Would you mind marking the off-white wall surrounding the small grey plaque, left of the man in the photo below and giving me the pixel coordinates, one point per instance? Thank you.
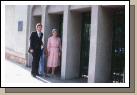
(15, 40)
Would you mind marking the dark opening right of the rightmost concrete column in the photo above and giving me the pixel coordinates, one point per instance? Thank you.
(118, 46)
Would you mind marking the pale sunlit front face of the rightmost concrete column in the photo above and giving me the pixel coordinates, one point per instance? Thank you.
(93, 44)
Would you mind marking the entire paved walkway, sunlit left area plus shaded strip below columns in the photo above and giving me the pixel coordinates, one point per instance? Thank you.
(19, 73)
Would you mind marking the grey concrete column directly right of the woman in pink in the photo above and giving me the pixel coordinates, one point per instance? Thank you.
(71, 44)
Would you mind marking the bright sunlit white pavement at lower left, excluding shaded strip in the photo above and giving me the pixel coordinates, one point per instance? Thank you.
(16, 74)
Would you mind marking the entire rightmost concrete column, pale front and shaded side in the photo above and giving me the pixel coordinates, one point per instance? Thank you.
(100, 46)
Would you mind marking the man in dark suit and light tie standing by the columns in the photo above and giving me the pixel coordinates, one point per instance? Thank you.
(35, 47)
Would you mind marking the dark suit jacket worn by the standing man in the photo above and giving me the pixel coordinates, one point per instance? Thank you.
(35, 41)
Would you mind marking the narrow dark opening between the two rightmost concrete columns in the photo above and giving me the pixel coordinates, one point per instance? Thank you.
(85, 41)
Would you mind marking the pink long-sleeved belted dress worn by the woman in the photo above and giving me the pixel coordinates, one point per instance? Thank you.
(54, 48)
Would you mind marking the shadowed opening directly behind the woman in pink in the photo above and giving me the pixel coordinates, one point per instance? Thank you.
(55, 20)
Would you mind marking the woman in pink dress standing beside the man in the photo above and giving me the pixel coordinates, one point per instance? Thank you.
(54, 51)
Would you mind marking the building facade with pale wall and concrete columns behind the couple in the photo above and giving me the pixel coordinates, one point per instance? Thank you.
(92, 37)
